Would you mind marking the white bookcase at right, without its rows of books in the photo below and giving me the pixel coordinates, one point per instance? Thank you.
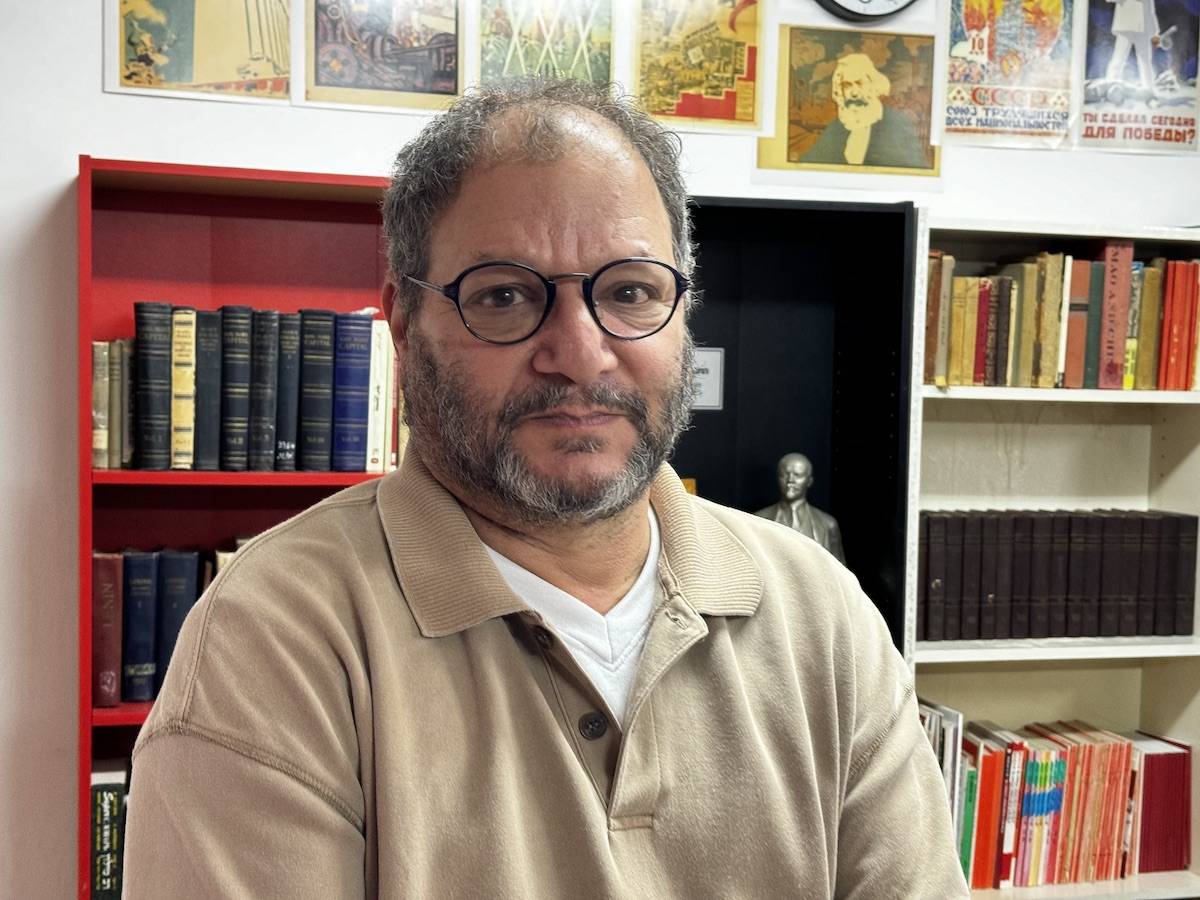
(1009, 448)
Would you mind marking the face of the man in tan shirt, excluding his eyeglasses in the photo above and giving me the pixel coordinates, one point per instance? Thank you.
(572, 424)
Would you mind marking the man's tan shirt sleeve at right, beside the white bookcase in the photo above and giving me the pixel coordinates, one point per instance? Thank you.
(895, 836)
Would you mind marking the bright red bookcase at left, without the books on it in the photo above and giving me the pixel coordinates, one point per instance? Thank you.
(200, 237)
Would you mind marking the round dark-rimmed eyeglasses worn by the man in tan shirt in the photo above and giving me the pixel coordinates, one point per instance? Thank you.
(507, 303)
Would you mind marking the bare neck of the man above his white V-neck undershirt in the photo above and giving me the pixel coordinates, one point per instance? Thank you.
(597, 563)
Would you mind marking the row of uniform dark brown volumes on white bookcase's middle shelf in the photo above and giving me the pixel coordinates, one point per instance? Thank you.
(1017, 574)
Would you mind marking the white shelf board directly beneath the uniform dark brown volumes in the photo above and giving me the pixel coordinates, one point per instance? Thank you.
(931, 653)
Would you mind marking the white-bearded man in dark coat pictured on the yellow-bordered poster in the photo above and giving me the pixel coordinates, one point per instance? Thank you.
(866, 133)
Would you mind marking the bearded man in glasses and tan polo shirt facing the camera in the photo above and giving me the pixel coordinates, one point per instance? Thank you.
(530, 665)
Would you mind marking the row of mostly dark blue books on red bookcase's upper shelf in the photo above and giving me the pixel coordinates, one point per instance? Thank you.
(242, 389)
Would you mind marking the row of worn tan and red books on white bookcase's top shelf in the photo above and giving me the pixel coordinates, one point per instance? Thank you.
(1060, 322)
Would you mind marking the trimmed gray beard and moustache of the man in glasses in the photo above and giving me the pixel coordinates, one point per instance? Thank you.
(460, 443)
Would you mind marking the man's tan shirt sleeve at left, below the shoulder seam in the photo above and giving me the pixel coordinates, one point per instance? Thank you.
(206, 820)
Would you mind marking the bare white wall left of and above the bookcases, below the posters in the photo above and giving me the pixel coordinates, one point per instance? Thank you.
(52, 110)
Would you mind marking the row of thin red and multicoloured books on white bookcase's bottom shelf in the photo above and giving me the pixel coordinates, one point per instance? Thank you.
(1061, 803)
